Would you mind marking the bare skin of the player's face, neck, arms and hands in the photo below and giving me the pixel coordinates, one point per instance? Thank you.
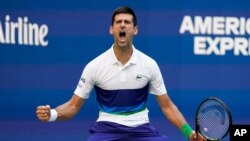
(123, 51)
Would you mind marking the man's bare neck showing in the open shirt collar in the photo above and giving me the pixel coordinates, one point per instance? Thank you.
(123, 54)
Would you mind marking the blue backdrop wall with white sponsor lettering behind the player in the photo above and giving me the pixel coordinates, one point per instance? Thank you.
(44, 46)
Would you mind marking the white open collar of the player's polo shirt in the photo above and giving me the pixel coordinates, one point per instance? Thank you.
(132, 60)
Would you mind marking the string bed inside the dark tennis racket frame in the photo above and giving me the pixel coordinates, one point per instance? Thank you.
(213, 120)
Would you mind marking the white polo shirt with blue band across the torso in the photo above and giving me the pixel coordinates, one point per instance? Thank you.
(122, 90)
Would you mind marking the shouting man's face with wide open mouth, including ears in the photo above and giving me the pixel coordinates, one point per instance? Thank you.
(123, 30)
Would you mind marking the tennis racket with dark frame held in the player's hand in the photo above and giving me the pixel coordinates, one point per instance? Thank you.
(213, 119)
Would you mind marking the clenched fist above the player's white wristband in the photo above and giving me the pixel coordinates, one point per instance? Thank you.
(43, 113)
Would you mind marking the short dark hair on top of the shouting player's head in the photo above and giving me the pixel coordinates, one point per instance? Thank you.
(124, 10)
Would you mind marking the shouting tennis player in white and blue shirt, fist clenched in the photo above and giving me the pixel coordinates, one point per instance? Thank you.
(122, 78)
